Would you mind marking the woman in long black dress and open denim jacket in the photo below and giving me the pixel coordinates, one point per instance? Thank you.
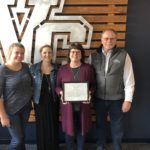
(45, 101)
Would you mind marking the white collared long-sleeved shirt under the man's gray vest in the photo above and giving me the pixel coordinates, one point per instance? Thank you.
(128, 75)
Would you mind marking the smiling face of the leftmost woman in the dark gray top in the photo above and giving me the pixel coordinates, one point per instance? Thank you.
(16, 54)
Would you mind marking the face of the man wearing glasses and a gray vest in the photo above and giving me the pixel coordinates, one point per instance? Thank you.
(108, 40)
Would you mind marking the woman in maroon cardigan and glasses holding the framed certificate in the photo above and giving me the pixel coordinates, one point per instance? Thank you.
(73, 80)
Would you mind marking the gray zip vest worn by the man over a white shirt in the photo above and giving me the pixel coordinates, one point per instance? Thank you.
(109, 86)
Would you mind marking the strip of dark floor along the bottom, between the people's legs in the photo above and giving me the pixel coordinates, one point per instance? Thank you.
(126, 146)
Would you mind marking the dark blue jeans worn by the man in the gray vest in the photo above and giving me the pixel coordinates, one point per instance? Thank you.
(114, 108)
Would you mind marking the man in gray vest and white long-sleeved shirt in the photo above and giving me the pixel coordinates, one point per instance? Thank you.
(115, 87)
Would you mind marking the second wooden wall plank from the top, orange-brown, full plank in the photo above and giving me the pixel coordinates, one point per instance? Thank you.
(94, 10)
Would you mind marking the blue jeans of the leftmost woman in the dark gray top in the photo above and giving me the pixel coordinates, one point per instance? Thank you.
(17, 129)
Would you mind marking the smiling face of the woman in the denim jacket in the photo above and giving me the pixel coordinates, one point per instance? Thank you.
(46, 54)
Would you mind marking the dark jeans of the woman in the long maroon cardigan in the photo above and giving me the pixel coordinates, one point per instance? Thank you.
(80, 139)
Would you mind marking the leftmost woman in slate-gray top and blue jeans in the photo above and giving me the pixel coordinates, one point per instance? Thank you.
(15, 95)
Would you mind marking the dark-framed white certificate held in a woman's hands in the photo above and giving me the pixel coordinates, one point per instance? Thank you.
(75, 91)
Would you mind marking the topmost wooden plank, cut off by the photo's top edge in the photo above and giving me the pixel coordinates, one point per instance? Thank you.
(96, 2)
